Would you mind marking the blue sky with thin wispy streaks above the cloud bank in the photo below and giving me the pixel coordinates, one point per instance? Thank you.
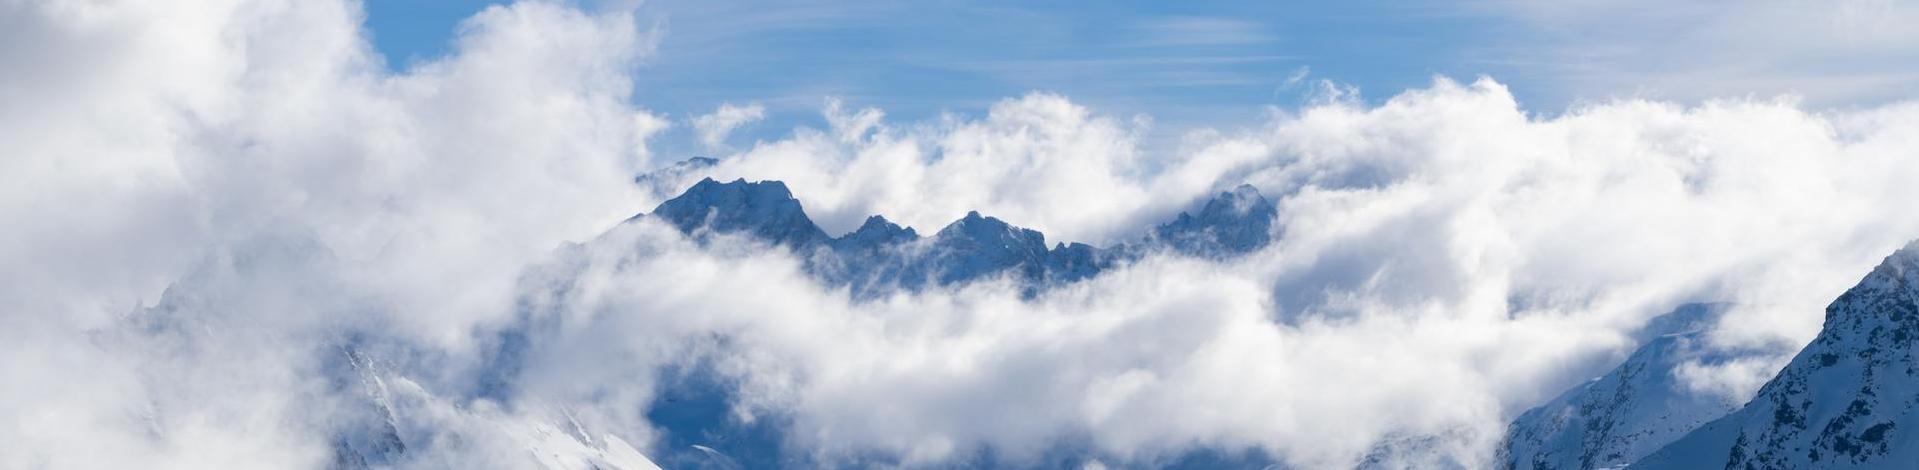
(1214, 64)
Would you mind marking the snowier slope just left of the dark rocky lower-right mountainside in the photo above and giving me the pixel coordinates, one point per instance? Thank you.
(1634, 410)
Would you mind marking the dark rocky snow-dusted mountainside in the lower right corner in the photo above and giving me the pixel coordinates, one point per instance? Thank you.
(1845, 402)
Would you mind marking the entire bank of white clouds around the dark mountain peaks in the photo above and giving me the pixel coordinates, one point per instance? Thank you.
(210, 202)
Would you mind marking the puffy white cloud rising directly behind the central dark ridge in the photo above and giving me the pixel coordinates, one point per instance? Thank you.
(1039, 162)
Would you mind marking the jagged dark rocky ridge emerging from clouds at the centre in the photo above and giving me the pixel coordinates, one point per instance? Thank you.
(884, 256)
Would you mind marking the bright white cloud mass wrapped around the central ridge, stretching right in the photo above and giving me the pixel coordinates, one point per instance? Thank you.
(1448, 262)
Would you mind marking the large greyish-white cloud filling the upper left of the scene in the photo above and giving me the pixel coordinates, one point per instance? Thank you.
(156, 141)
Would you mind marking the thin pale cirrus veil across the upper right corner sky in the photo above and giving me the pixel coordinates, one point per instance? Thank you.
(1851, 53)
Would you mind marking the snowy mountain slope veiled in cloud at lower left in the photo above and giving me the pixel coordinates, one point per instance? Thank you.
(366, 408)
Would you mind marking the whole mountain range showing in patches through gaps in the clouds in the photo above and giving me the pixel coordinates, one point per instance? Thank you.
(1845, 402)
